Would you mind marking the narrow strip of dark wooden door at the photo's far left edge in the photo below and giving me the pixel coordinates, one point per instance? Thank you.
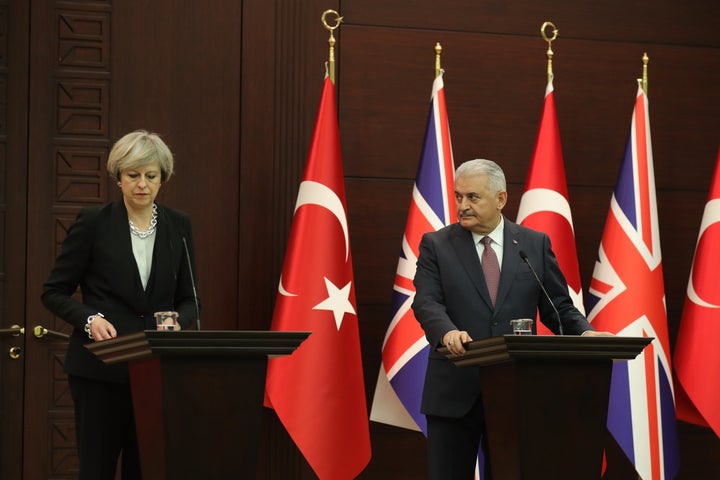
(14, 44)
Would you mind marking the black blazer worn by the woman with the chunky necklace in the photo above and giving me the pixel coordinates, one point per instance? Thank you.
(97, 256)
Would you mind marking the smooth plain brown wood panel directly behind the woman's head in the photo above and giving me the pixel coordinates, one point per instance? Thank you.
(176, 71)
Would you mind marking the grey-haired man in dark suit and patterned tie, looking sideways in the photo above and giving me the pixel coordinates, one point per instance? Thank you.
(455, 303)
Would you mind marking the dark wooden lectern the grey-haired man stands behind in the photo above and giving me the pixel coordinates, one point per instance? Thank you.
(546, 401)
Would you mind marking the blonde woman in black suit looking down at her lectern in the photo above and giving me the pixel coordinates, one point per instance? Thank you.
(128, 257)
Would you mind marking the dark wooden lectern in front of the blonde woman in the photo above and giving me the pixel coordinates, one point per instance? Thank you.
(198, 397)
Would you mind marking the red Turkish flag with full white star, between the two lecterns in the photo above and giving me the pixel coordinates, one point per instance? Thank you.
(318, 392)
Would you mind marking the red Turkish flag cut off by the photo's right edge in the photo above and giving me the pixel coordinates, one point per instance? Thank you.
(697, 358)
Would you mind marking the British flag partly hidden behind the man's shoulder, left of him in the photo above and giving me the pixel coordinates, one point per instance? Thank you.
(405, 349)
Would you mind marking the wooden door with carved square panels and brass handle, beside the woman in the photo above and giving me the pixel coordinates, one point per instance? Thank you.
(68, 141)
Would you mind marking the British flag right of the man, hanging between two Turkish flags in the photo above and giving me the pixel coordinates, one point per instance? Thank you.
(627, 297)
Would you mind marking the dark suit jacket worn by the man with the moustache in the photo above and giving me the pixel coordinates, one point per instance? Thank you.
(451, 293)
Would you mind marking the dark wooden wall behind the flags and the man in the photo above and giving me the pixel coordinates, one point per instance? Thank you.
(495, 78)
